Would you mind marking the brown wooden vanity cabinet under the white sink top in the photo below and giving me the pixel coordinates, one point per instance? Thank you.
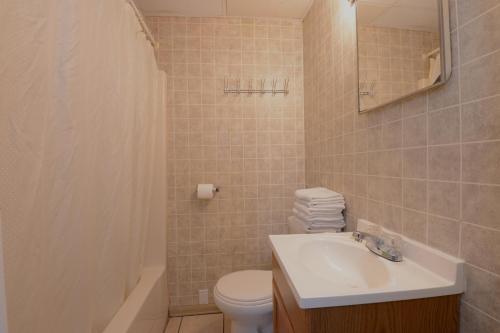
(427, 315)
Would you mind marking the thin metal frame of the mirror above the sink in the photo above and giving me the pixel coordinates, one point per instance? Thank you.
(446, 62)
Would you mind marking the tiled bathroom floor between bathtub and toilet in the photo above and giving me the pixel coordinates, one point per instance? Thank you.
(211, 323)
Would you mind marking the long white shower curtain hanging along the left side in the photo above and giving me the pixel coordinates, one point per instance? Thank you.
(81, 128)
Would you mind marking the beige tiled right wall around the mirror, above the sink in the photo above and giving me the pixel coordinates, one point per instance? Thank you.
(428, 167)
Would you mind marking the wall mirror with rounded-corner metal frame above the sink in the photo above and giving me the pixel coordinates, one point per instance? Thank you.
(403, 49)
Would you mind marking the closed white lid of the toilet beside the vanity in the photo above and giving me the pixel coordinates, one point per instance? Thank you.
(246, 286)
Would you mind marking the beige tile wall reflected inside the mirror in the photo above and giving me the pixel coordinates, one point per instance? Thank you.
(390, 62)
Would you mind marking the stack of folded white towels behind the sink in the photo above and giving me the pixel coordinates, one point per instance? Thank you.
(319, 209)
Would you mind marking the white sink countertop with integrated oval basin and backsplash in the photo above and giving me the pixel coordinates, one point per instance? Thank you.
(325, 270)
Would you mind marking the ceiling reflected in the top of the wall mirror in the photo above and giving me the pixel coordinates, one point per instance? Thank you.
(421, 15)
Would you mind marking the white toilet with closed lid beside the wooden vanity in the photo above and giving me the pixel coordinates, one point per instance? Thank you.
(246, 297)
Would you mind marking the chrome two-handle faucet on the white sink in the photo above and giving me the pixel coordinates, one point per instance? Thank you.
(384, 245)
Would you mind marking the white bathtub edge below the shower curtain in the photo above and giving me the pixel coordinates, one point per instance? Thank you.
(146, 308)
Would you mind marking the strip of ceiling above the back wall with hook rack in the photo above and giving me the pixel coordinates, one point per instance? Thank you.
(249, 8)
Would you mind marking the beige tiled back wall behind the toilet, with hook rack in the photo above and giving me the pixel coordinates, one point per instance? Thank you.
(252, 147)
